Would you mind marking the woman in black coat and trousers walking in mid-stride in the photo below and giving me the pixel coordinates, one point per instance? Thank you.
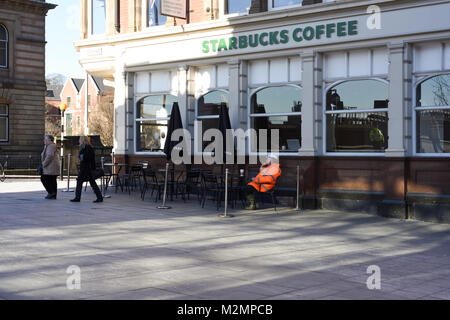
(87, 164)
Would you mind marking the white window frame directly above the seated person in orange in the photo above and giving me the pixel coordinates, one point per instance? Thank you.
(254, 90)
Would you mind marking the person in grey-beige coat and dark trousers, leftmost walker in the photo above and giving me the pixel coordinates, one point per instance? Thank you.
(50, 166)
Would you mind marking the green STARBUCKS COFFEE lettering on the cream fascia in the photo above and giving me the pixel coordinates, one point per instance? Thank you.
(283, 36)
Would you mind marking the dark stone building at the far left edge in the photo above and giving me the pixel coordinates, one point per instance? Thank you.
(22, 76)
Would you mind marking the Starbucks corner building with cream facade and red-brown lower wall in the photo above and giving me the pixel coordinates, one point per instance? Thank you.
(359, 90)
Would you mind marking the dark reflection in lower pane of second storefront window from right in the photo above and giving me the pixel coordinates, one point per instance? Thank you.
(361, 132)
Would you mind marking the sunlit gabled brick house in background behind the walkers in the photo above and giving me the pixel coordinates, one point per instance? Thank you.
(74, 95)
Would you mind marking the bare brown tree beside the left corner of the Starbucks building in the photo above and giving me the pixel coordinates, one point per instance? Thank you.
(101, 120)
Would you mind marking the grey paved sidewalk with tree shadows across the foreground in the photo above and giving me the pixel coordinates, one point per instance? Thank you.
(125, 248)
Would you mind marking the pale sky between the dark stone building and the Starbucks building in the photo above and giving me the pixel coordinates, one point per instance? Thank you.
(61, 29)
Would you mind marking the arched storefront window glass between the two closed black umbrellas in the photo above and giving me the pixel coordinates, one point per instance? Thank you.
(208, 108)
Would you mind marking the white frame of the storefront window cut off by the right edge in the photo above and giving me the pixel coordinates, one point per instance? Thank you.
(417, 80)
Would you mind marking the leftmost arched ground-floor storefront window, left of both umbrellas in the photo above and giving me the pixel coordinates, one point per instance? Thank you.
(152, 117)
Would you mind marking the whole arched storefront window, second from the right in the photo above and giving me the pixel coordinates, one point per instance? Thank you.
(357, 116)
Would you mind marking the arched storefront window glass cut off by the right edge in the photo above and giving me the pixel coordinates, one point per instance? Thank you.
(433, 115)
